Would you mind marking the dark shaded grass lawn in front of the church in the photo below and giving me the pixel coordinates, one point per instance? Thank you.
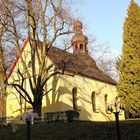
(130, 130)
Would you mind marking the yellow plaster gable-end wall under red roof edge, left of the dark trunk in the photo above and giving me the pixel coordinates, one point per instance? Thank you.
(13, 106)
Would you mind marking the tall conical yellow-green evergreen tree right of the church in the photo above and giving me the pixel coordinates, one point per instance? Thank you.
(129, 84)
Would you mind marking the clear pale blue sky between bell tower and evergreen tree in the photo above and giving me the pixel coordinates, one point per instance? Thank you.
(104, 19)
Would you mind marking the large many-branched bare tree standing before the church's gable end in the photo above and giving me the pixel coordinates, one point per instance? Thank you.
(41, 20)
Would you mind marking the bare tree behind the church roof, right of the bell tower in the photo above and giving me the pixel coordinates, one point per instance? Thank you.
(103, 56)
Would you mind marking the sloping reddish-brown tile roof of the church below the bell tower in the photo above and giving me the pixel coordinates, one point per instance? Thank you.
(81, 64)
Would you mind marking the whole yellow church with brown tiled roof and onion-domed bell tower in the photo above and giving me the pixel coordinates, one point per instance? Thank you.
(82, 87)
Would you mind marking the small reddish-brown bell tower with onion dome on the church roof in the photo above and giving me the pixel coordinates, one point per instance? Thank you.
(79, 41)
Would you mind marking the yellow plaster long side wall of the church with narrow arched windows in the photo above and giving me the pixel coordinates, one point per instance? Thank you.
(63, 97)
